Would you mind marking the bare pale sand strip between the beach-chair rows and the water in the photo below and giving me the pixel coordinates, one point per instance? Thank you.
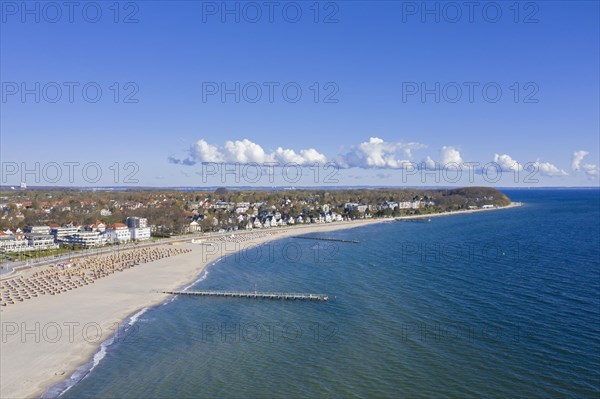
(46, 338)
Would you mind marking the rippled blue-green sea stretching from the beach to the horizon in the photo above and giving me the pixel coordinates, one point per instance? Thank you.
(497, 304)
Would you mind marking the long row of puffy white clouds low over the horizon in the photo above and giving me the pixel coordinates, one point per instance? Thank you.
(375, 153)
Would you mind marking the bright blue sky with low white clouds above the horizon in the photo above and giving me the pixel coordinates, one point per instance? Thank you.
(364, 62)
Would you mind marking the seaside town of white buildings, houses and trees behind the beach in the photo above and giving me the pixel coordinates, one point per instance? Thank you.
(42, 220)
